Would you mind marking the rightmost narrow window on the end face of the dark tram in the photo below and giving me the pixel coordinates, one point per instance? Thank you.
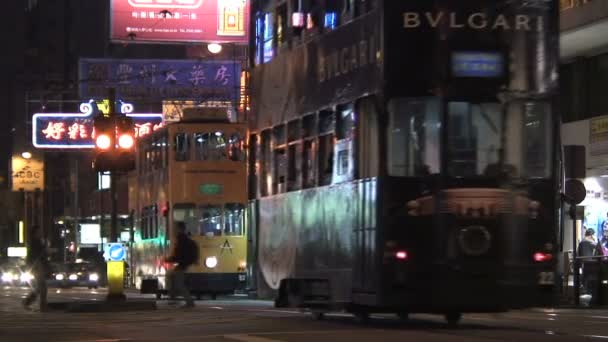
(537, 139)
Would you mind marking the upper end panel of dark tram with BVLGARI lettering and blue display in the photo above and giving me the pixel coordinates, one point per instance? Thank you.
(459, 46)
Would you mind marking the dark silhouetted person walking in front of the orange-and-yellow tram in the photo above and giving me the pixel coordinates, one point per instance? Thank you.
(185, 253)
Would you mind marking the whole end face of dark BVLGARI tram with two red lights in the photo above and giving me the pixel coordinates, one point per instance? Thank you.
(471, 155)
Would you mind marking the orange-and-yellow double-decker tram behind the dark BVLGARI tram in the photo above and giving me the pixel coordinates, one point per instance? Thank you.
(192, 171)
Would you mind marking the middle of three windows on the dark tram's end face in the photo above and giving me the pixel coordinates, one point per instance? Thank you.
(474, 137)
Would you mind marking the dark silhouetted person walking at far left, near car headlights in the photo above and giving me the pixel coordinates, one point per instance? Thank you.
(39, 267)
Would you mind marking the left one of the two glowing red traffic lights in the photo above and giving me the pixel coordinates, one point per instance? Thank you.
(104, 135)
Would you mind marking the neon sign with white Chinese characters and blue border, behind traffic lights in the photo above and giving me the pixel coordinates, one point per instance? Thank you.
(75, 130)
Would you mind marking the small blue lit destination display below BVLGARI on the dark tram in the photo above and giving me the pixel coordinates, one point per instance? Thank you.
(477, 64)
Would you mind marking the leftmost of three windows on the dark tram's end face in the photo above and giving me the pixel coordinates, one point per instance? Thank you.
(413, 146)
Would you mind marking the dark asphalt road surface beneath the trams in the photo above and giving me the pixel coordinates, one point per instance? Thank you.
(239, 319)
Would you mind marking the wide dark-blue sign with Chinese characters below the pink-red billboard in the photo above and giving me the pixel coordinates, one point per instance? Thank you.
(137, 79)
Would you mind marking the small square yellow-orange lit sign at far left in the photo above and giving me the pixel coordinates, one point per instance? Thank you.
(27, 174)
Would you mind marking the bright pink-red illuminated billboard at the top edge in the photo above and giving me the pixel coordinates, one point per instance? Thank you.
(221, 21)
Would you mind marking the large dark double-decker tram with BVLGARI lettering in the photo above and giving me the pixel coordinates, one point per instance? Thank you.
(405, 155)
